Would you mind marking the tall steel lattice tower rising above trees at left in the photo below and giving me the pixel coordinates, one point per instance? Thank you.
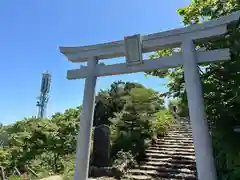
(44, 95)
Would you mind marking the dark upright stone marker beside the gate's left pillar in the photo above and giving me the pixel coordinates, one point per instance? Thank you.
(101, 146)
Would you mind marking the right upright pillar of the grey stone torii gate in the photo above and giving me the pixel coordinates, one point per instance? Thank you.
(201, 137)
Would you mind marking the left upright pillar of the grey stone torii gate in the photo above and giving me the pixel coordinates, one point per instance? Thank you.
(86, 124)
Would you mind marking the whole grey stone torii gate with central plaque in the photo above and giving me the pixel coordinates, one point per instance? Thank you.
(132, 47)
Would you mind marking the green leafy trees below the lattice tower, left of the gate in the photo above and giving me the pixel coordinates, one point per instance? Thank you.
(49, 140)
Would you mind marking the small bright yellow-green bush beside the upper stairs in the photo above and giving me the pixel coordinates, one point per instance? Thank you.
(162, 123)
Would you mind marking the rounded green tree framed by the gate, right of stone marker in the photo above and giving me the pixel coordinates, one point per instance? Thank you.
(131, 127)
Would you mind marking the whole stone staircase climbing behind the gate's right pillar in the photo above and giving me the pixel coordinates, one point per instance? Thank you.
(171, 158)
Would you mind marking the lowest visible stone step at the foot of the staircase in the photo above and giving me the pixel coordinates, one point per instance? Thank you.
(156, 174)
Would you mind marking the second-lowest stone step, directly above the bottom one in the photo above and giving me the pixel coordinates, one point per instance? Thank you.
(168, 165)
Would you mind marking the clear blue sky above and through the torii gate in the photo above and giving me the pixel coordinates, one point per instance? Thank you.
(32, 31)
